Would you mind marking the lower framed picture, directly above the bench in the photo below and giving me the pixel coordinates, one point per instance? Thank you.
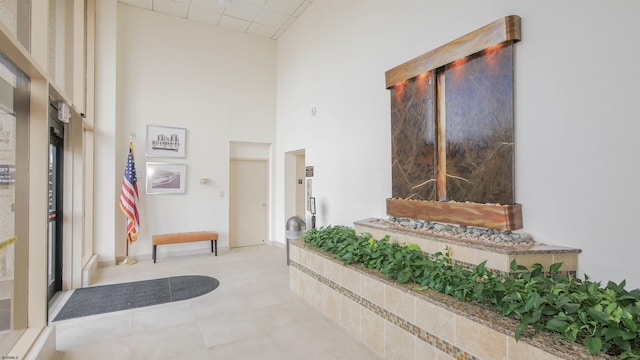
(166, 178)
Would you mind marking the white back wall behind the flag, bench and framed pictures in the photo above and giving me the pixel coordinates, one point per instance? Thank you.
(217, 84)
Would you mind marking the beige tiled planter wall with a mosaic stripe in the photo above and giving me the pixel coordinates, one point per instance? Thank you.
(398, 323)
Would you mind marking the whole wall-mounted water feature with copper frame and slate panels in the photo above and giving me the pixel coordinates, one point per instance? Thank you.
(452, 121)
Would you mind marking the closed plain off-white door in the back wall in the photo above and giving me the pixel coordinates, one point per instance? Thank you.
(248, 202)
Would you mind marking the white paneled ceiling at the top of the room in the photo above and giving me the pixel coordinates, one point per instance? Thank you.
(265, 18)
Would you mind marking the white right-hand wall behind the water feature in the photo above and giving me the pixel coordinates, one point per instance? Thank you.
(577, 166)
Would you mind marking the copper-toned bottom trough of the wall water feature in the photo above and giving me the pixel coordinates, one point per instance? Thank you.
(492, 216)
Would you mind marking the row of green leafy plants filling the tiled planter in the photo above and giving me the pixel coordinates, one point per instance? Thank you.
(603, 319)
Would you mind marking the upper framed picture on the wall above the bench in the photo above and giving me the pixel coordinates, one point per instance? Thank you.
(163, 141)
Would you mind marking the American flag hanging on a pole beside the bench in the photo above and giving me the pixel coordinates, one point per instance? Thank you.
(129, 198)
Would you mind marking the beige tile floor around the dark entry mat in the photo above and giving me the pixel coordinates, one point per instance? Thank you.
(251, 315)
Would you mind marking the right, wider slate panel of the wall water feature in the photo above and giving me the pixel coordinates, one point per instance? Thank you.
(480, 127)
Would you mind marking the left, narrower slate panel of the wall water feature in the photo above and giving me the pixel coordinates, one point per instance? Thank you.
(413, 139)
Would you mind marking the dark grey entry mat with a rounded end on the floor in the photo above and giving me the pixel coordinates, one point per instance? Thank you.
(108, 298)
